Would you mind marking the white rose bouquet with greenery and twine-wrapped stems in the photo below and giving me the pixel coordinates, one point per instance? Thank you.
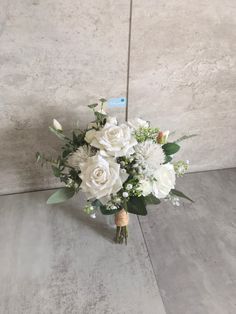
(121, 168)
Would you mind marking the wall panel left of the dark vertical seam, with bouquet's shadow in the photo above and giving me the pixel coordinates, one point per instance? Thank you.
(55, 57)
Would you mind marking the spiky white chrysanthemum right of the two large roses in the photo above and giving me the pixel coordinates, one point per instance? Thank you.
(150, 155)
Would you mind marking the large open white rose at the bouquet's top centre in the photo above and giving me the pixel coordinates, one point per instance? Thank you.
(114, 140)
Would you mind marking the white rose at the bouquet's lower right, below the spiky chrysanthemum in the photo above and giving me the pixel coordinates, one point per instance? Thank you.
(165, 181)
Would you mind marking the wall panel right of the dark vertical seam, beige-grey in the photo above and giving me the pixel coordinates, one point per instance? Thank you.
(183, 74)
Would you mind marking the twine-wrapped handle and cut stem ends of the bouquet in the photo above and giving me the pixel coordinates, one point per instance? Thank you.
(121, 221)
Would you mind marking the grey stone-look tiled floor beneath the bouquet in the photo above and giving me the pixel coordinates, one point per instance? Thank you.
(54, 259)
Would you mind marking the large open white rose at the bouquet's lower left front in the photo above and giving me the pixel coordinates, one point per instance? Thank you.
(100, 177)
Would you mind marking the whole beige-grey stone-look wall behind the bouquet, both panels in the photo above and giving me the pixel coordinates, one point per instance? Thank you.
(57, 56)
